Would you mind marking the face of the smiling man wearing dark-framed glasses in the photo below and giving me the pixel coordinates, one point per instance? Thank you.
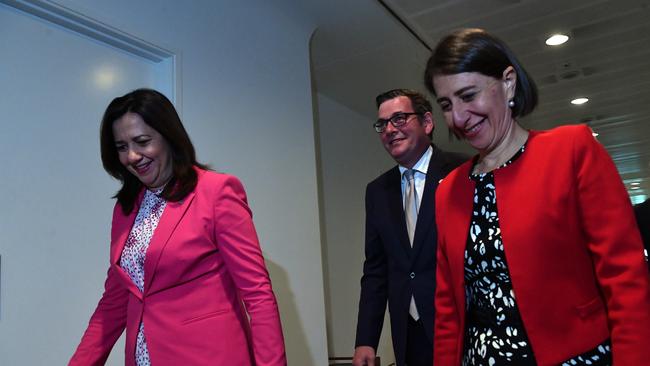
(406, 143)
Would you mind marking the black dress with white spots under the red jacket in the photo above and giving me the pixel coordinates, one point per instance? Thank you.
(494, 331)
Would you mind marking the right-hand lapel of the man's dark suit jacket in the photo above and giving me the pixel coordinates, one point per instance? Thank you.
(426, 221)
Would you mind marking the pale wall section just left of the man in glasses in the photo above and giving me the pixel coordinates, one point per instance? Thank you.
(351, 155)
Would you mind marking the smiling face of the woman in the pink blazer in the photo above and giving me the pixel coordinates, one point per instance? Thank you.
(142, 150)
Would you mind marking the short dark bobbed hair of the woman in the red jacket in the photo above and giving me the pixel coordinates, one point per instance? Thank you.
(475, 50)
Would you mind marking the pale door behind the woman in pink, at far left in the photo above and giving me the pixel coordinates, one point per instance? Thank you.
(56, 205)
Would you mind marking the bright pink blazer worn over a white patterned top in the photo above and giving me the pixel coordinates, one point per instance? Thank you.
(202, 261)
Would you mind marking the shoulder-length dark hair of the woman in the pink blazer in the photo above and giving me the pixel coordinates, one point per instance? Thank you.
(159, 113)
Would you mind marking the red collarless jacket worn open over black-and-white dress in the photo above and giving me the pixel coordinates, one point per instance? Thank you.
(572, 247)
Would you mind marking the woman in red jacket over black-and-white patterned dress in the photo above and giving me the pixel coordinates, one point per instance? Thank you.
(539, 258)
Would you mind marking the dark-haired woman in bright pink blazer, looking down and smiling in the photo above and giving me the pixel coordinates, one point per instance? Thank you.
(186, 270)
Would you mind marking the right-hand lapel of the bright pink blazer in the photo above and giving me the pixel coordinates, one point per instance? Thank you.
(171, 216)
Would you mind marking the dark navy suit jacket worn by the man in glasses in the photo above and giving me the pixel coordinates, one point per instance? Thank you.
(393, 270)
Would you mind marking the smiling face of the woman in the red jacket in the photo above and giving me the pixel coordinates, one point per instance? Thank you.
(475, 106)
